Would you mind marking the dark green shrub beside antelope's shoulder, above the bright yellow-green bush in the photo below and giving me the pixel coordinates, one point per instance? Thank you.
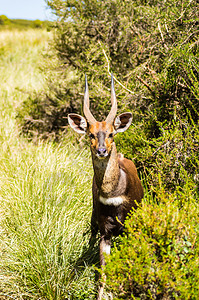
(173, 155)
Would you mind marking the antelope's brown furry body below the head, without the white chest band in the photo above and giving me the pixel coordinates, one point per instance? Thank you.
(116, 177)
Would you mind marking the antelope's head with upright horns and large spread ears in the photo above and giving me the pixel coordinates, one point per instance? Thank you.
(101, 133)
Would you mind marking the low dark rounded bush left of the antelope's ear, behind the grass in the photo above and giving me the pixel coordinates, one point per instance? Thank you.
(43, 115)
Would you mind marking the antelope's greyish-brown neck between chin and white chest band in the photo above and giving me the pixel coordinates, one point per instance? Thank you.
(107, 173)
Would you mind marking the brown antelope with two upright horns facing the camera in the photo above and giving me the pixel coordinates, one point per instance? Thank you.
(116, 187)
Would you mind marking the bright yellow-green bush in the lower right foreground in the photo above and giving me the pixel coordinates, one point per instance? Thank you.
(157, 258)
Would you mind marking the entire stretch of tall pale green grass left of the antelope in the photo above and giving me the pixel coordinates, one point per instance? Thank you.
(45, 192)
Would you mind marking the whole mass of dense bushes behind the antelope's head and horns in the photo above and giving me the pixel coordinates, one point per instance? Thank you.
(152, 49)
